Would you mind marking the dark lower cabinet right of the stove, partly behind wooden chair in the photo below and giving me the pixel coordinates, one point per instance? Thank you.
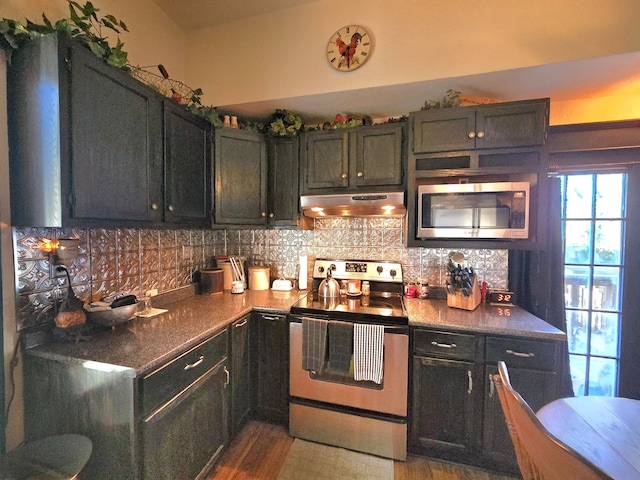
(456, 414)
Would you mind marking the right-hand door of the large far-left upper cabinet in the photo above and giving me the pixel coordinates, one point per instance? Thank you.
(187, 164)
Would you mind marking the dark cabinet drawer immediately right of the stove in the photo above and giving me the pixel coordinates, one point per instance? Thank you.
(444, 344)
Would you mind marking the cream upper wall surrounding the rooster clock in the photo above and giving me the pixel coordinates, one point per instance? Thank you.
(282, 55)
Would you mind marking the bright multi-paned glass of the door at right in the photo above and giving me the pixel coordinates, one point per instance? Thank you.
(593, 217)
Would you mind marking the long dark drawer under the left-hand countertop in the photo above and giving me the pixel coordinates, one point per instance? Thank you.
(162, 384)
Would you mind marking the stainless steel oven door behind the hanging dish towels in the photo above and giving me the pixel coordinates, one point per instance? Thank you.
(389, 398)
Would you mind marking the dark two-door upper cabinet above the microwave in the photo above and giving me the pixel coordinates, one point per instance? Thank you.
(500, 125)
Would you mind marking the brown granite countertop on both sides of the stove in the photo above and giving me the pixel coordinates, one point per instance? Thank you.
(143, 344)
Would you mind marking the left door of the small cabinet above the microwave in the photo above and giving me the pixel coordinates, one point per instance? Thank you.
(443, 130)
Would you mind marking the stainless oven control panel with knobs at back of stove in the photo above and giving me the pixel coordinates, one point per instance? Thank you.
(358, 270)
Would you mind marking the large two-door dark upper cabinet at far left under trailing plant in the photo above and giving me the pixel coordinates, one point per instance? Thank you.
(104, 138)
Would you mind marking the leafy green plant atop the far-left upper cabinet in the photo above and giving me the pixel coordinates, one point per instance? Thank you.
(83, 24)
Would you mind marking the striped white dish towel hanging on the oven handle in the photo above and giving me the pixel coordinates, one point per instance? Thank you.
(368, 345)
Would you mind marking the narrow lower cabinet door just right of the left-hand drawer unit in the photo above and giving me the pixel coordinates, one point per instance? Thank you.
(241, 357)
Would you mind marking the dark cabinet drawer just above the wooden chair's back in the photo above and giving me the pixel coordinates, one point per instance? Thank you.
(523, 353)
